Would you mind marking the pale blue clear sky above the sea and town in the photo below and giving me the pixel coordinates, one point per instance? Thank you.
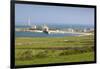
(41, 14)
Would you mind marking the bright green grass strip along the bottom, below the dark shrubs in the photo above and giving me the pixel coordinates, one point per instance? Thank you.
(61, 59)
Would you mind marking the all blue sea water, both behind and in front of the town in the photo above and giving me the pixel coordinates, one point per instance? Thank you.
(53, 26)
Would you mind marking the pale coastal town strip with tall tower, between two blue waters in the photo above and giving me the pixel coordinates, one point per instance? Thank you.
(45, 29)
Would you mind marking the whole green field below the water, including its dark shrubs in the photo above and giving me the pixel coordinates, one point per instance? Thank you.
(45, 50)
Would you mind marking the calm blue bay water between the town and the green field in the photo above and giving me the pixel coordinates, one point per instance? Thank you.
(35, 34)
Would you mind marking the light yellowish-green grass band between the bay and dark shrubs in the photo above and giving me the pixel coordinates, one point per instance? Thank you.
(39, 42)
